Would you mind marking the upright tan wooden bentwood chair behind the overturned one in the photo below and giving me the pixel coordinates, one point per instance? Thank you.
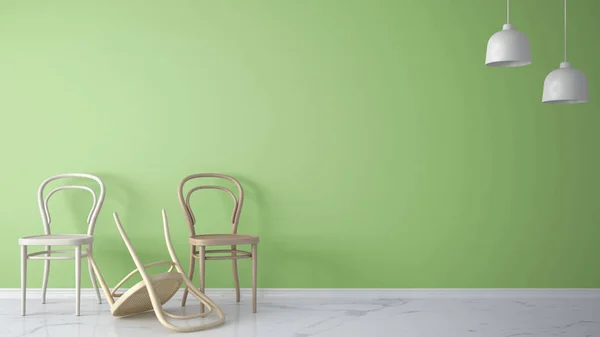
(204, 240)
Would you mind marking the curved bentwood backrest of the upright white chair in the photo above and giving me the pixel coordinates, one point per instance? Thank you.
(96, 205)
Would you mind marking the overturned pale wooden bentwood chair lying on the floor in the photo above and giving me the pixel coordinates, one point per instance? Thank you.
(154, 291)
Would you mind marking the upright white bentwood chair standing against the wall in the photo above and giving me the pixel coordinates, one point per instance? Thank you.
(48, 239)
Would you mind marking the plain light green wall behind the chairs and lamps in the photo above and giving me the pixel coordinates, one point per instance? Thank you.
(375, 147)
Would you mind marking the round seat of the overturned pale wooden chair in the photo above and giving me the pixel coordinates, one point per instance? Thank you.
(137, 300)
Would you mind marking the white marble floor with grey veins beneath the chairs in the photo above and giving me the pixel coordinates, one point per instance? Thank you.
(304, 317)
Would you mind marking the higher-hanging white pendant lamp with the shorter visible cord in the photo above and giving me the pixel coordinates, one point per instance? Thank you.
(508, 47)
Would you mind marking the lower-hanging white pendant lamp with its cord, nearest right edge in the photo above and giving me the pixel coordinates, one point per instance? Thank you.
(565, 85)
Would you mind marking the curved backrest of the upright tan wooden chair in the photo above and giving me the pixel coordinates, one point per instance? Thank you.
(185, 200)
